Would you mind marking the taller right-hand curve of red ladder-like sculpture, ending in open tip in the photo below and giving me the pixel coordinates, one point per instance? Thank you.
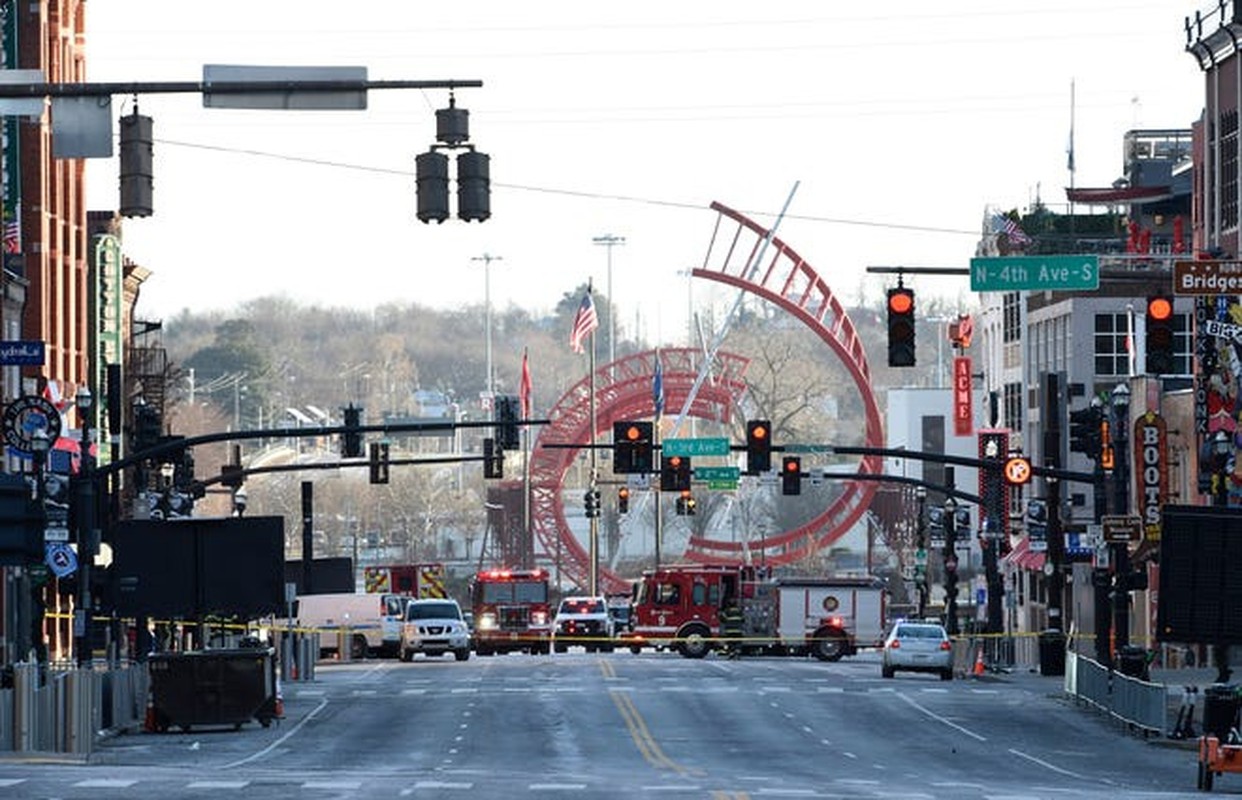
(788, 281)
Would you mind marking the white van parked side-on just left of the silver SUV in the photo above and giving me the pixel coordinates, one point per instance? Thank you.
(371, 623)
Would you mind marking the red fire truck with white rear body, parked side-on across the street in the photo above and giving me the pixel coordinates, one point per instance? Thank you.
(679, 608)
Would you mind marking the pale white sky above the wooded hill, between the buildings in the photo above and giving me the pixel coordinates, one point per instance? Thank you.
(887, 127)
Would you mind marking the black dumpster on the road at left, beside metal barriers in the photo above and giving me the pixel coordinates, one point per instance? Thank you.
(213, 688)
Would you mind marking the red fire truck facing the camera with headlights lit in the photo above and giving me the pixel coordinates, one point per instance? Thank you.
(511, 612)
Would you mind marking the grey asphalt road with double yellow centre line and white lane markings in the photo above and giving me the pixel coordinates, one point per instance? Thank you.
(655, 725)
